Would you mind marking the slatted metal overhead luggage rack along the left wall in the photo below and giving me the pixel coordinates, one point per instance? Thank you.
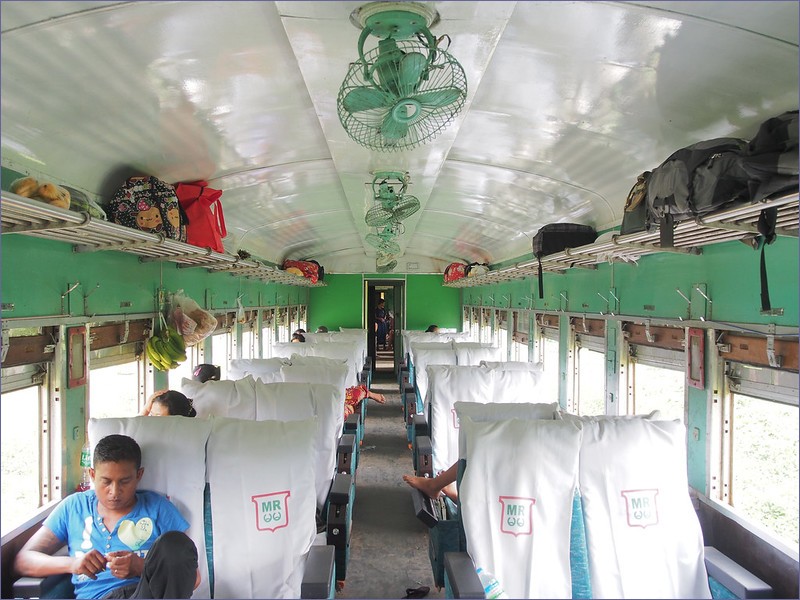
(88, 234)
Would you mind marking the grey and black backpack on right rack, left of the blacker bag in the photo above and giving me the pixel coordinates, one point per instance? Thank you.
(695, 181)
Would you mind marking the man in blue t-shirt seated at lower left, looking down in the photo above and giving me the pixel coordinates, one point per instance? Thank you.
(123, 543)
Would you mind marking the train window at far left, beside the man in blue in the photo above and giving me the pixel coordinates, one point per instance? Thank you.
(24, 450)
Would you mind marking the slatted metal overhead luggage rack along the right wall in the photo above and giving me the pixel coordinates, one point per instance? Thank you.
(690, 237)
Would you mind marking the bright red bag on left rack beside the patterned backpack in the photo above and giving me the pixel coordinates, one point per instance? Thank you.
(206, 226)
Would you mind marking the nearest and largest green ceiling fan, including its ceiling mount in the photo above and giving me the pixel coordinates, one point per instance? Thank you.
(402, 93)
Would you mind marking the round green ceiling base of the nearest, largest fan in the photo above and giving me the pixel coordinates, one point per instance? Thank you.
(397, 20)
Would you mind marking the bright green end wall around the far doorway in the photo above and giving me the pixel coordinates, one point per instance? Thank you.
(339, 304)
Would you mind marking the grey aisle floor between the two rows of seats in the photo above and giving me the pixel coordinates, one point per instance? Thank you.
(389, 545)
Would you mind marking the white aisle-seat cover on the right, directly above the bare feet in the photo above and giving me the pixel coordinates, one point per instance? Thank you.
(447, 385)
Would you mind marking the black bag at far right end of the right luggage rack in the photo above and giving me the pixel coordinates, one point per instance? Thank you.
(771, 160)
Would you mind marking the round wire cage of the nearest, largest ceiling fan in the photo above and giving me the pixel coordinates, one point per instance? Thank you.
(364, 126)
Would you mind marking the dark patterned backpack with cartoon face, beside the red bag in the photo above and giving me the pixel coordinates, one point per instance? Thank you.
(149, 204)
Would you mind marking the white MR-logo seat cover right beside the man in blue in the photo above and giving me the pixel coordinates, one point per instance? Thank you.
(263, 506)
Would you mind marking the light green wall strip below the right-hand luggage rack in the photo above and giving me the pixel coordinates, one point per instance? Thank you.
(730, 271)
